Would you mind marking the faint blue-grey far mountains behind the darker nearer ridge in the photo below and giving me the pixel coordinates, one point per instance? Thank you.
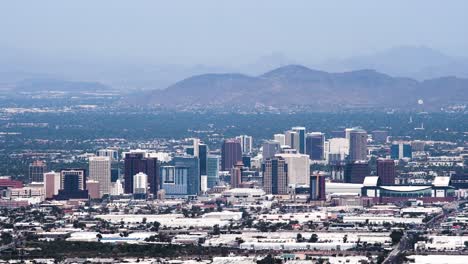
(417, 62)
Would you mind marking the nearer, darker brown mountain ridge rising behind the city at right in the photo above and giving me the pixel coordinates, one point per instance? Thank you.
(296, 85)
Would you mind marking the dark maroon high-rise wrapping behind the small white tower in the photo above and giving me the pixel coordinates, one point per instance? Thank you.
(136, 162)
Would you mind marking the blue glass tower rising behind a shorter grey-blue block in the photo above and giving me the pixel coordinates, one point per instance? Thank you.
(192, 165)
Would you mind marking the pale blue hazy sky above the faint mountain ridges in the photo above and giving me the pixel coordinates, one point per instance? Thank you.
(217, 31)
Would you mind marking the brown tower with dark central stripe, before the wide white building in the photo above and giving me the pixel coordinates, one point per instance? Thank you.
(275, 176)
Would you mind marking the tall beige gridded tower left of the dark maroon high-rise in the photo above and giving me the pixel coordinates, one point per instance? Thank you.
(100, 171)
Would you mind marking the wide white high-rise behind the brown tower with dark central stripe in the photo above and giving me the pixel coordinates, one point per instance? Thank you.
(298, 168)
